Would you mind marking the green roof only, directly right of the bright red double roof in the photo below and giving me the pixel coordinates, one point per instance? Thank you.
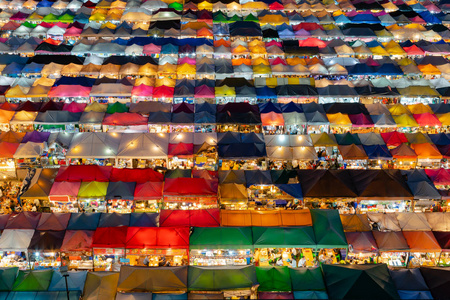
(221, 238)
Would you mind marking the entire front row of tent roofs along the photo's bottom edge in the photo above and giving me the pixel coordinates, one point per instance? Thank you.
(328, 281)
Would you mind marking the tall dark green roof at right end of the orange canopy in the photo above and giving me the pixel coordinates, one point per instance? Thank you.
(328, 228)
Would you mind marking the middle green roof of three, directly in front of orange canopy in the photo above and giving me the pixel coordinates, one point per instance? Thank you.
(283, 237)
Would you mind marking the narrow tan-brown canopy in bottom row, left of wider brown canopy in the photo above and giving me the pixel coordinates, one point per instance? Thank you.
(101, 285)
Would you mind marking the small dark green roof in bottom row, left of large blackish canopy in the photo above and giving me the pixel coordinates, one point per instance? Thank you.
(307, 279)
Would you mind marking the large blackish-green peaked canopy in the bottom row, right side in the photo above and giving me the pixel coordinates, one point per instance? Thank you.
(358, 281)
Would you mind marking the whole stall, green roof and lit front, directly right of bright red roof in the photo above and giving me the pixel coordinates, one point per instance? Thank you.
(221, 246)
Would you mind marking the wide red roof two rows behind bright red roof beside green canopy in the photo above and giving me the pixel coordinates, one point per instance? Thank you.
(190, 187)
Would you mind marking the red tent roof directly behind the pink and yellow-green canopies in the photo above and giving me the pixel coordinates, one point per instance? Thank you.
(84, 173)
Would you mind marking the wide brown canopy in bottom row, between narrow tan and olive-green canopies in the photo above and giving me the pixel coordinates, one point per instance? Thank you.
(143, 279)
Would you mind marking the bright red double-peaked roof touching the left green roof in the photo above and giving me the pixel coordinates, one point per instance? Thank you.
(157, 238)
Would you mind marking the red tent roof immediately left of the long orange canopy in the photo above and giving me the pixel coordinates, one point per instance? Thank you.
(197, 218)
